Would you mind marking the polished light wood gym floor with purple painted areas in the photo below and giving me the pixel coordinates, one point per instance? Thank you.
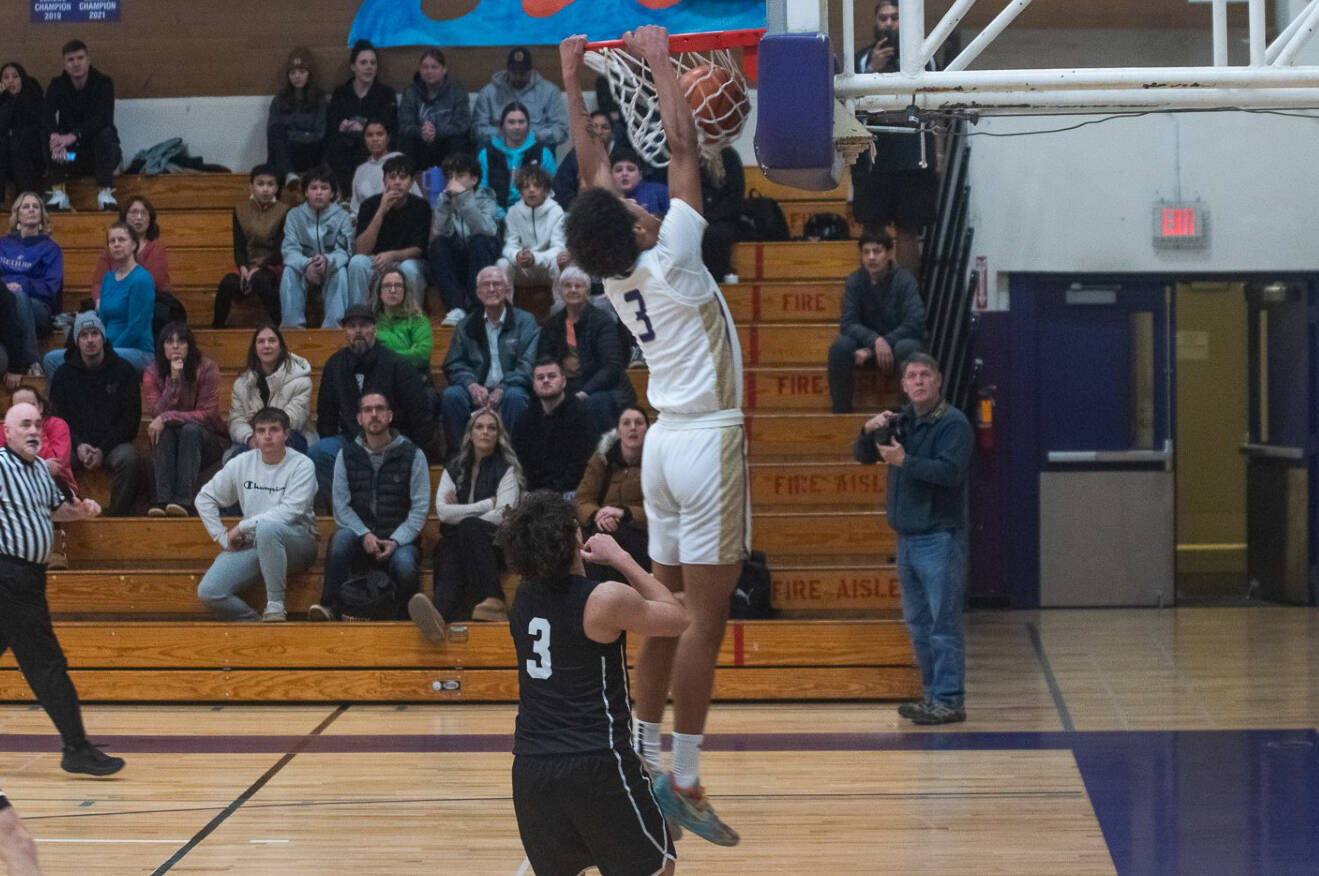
(1098, 742)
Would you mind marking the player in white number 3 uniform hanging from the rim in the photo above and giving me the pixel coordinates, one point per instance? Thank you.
(694, 464)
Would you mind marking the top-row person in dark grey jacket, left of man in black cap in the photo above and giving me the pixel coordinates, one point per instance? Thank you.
(435, 118)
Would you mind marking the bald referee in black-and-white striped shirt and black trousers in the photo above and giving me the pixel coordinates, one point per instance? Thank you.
(30, 502)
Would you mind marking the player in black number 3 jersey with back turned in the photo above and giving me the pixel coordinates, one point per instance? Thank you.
(580, 791)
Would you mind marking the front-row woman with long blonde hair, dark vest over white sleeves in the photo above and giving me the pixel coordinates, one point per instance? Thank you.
(479, 485)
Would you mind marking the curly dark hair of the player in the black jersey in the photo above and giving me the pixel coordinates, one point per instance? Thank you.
(539, 538)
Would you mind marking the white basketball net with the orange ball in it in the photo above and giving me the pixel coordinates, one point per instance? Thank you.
(714, 86)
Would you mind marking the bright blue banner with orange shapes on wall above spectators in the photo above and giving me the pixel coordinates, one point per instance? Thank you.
(502, 23)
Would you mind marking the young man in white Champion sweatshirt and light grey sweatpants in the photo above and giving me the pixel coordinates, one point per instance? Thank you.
(278, 535)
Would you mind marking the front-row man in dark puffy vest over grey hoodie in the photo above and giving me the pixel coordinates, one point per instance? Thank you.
(382, 494)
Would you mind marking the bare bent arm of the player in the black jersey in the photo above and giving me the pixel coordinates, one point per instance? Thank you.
(646, 608)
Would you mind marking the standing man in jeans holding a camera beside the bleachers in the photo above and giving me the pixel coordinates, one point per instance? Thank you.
(928, 451)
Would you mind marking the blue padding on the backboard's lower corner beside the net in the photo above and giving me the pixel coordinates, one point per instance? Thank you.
(795, 110)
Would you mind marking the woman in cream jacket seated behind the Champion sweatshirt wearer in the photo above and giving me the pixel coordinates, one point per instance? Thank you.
(275, 378)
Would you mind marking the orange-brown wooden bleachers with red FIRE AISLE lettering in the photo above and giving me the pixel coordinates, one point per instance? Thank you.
(127, 610)
